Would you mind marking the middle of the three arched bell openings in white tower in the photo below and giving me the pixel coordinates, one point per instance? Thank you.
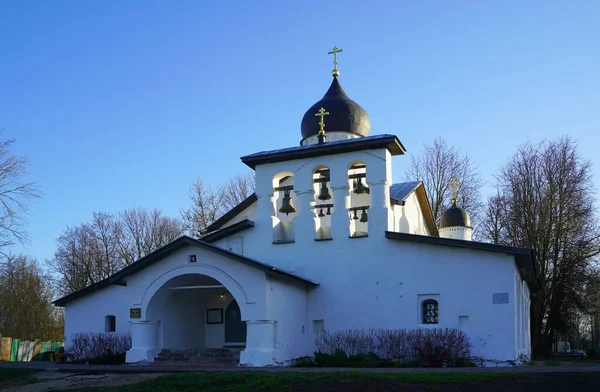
(323, 202)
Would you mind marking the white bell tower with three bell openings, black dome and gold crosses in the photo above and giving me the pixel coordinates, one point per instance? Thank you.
(335, 185)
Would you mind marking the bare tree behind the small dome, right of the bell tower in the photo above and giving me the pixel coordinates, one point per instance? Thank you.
(436, 167)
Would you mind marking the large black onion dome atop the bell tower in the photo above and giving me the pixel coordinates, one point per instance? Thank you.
(345, 115)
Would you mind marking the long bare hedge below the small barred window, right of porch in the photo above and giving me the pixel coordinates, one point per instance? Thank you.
(397, 347)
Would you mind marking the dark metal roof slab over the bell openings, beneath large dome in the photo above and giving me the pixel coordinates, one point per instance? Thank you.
(391, 142)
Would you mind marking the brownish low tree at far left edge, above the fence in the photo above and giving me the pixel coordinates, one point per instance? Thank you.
(25, 301)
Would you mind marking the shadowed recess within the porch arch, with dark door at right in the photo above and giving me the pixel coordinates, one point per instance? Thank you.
(192, 313)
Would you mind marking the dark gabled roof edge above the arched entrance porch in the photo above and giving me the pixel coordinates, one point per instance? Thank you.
(120, 277)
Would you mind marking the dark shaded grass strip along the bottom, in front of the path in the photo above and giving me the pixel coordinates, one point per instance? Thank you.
(359, 382)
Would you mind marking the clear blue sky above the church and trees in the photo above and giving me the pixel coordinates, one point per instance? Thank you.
(124, 104)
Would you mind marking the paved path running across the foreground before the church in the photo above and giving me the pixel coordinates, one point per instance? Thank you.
(179, 368)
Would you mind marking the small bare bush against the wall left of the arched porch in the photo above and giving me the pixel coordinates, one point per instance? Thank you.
(109, 348)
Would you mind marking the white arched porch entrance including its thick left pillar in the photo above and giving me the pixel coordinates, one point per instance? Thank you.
(185, 311)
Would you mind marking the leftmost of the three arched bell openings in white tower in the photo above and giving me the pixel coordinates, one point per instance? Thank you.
(285, 202)
